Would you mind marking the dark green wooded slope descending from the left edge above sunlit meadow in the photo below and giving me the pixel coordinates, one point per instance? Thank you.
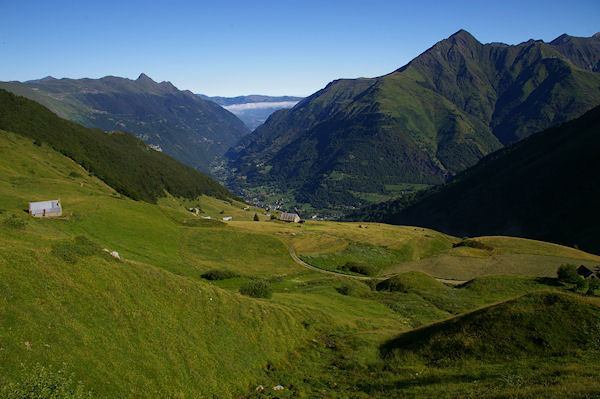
(122, 161)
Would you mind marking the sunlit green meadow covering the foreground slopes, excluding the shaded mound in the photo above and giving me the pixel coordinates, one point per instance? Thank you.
(149, 325)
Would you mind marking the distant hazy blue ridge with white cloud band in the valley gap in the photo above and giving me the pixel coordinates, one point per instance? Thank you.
(254, 109)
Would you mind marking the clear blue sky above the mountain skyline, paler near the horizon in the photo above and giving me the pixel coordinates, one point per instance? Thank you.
(281, 47)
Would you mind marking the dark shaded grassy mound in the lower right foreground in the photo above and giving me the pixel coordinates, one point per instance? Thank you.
(483, 334)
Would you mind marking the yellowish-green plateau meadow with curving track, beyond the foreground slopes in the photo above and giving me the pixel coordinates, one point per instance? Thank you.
(396, 249)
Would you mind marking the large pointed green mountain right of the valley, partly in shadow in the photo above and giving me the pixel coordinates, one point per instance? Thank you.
(362, 139)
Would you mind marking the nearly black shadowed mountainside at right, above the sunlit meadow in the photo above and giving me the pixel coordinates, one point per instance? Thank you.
(544, 187)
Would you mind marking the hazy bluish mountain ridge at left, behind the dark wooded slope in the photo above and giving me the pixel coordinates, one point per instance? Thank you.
(183, 125)
